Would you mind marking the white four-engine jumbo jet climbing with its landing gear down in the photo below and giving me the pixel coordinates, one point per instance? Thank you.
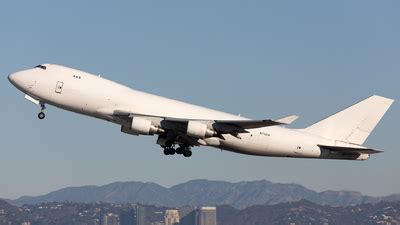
(181, 126)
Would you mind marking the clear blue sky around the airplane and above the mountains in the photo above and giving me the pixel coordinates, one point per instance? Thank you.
(260, 59)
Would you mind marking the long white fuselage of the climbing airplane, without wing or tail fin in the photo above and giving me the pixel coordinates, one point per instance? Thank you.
(91, 95)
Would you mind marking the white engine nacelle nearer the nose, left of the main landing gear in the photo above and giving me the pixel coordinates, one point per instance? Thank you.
(141, 126)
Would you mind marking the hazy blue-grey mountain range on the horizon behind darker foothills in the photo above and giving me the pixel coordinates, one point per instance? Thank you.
(203, 192)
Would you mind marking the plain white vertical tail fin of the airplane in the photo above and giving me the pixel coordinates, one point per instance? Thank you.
(353, 124)
